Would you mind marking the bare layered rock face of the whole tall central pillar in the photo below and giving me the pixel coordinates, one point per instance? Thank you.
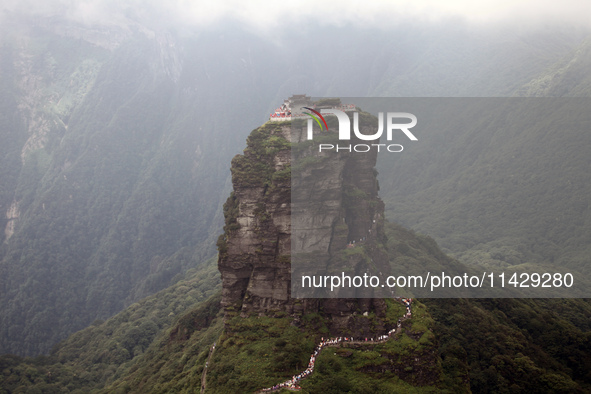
(341, 205)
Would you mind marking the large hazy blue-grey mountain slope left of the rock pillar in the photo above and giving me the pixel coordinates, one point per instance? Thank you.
(116, 169)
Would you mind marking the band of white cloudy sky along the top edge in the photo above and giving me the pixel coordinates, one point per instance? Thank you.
(277, 14)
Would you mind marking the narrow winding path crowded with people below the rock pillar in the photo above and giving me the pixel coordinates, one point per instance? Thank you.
(292, 384)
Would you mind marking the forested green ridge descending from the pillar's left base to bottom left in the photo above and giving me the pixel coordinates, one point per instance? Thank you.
(105, 351)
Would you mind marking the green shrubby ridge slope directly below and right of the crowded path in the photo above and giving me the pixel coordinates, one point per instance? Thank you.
(406, 363)
